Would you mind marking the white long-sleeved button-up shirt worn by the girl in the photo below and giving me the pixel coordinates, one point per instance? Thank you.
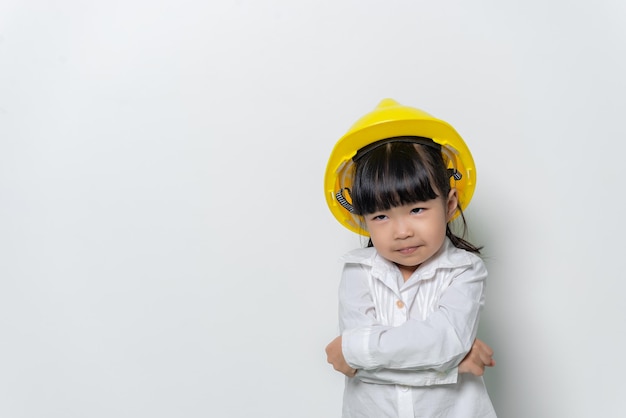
(407, 338)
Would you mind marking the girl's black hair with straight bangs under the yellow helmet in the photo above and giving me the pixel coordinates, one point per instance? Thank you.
(401, 171)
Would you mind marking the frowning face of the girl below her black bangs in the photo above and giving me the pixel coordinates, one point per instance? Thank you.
(409, 235)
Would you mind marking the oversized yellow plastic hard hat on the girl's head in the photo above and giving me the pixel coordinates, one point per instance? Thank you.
(391, 119)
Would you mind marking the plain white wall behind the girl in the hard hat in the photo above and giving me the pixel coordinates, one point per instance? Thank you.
(165, 248)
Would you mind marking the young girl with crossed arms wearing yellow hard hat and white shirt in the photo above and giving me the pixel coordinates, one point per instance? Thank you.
(410, 302)
